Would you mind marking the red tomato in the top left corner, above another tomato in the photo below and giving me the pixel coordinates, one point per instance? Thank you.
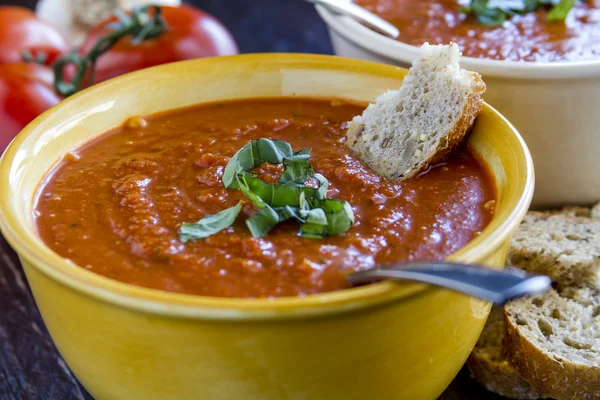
(20, 31)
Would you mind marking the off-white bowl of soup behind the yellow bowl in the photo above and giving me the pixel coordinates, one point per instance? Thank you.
(555, 106)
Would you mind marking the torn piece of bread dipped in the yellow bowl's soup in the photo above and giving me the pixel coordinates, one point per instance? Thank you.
(407, 130)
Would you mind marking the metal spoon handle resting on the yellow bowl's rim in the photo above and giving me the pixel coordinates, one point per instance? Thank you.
(488, 284)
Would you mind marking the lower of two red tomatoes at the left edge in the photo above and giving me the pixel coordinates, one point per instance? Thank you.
(25, 92)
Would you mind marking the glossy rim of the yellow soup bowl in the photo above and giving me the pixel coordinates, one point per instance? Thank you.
(153, 301)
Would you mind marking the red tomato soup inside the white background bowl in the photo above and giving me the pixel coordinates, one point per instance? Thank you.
(528, 37)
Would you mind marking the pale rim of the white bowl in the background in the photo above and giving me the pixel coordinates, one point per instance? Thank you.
(400, 52)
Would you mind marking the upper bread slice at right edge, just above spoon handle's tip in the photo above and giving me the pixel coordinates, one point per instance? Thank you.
(565, 248)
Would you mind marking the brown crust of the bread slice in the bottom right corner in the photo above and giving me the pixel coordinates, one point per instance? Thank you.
(557, 378)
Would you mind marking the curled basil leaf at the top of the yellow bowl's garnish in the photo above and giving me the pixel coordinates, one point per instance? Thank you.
(254, 154)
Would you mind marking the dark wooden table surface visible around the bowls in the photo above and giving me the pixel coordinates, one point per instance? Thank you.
(30, 366)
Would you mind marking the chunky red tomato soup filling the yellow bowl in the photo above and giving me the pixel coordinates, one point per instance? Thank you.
(117, 208)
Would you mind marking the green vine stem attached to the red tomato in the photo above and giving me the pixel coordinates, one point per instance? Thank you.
(141, 25)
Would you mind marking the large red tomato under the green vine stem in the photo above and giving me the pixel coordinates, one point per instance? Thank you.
(191, 33)
